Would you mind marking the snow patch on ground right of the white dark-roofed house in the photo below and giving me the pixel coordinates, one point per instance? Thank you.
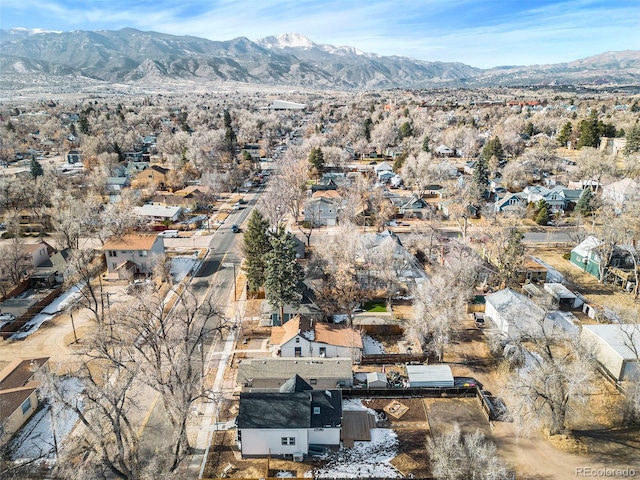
(365, 459)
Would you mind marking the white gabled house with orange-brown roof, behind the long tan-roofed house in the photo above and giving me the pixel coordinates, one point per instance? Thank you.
(303, 337)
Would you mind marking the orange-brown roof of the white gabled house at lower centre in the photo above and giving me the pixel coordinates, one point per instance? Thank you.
(328, 333)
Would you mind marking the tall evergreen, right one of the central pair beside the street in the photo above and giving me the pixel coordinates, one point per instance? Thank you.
(283, 272)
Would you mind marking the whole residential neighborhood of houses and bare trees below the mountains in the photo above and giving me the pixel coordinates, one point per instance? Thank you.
(286, 283)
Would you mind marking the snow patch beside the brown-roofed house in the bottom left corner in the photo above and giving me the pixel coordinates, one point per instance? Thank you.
(35, 439)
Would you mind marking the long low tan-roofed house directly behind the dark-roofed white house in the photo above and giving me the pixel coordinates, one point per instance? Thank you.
(269, 374)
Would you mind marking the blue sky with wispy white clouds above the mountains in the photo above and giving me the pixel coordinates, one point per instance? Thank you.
(481, 33)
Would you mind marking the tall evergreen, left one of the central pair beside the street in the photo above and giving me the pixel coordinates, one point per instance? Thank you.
(255, 248)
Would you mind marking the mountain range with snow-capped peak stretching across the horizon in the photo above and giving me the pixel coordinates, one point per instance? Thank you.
(134, 56)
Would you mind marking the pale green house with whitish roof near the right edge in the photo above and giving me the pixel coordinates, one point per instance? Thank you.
(588, 256)
